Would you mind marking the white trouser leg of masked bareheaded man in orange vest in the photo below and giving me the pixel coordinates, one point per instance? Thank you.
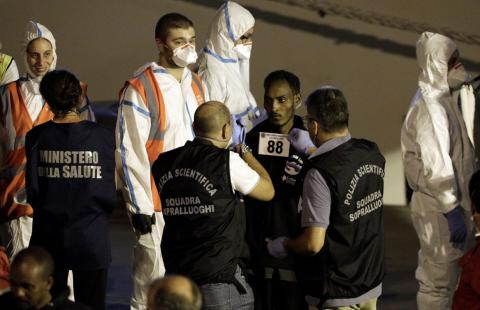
(147, 263)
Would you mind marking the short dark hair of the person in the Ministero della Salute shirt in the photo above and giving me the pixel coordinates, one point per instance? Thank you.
(62, 91)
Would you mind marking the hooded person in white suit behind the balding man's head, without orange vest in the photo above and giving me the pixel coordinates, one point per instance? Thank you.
(225, 65)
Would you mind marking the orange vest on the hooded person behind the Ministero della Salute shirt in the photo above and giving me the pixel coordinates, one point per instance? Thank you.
(16, 120)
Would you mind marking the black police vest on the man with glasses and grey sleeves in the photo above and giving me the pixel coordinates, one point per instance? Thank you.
(351, 261)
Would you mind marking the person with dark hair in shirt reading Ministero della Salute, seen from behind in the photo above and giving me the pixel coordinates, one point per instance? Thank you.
(71, 187)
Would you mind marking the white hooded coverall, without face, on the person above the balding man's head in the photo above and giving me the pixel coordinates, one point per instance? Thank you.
(219, 60)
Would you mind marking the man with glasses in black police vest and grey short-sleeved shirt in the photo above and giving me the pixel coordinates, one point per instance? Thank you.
(340, 250)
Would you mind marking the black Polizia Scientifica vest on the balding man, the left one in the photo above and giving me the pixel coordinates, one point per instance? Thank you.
(204, 236)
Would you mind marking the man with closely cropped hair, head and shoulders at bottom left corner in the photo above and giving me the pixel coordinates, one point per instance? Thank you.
(30, 283)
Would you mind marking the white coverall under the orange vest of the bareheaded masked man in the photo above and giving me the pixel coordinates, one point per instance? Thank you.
(133, 166)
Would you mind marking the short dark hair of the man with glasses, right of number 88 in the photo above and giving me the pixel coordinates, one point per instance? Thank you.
(329, 107)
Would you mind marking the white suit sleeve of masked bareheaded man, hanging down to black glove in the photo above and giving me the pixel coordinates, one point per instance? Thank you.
(133, 166)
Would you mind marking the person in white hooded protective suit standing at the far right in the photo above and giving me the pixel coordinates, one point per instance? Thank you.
(438, 157)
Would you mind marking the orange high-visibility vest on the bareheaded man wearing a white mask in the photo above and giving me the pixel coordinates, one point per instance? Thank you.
(146, 86)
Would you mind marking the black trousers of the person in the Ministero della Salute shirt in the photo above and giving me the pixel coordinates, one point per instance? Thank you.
(89, 286)
